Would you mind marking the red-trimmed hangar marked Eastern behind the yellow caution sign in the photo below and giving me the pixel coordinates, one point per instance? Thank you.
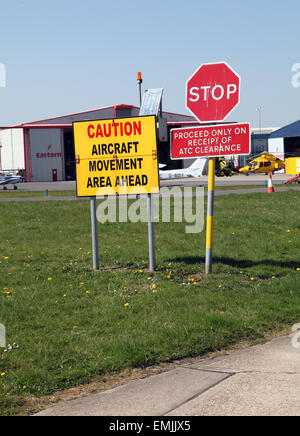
(43, 151)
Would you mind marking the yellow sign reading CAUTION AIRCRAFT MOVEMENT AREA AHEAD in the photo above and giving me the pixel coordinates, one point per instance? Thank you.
(116, 156)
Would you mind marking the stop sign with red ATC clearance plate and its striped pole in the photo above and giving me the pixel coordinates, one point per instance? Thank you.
(212, 93)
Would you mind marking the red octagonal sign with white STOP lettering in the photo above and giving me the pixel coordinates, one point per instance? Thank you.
(212, 92)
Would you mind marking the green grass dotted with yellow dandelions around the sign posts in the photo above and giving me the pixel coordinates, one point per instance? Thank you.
(73, 325)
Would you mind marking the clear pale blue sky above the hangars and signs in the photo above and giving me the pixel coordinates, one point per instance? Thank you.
(68, 56)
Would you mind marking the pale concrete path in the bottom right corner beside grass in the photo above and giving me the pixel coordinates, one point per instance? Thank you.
(260, 380)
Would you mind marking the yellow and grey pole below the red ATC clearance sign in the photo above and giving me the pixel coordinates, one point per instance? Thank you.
(210, 215)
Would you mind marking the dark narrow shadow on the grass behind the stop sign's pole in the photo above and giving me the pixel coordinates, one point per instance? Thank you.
(238, 263)
